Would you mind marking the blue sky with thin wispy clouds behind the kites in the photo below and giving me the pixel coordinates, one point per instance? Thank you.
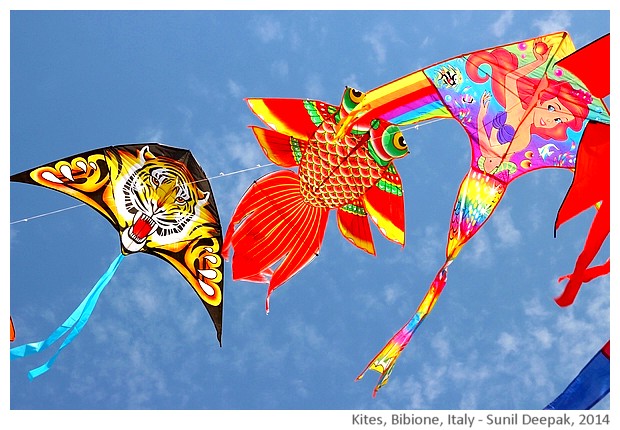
(89, 79)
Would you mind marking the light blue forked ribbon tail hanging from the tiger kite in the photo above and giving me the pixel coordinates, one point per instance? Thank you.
(76, 321)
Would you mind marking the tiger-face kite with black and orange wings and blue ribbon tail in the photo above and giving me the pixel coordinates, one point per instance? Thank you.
(160, 201)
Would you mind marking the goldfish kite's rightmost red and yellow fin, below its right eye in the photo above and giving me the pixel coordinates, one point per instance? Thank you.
(385, 204)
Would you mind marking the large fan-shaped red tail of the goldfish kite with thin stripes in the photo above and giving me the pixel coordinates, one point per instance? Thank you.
(272, 223)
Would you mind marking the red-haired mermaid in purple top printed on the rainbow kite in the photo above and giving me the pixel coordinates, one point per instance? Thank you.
(542, 107)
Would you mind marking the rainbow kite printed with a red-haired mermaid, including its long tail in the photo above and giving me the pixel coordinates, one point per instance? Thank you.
(521, 112)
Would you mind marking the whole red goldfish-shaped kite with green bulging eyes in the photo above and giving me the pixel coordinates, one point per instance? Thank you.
(283, 215)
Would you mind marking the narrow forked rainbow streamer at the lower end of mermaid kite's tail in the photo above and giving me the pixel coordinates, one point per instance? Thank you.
(385, 360)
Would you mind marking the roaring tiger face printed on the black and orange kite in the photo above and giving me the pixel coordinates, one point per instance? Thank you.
(160, 202)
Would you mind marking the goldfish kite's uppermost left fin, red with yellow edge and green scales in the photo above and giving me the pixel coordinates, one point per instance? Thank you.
(293, 117)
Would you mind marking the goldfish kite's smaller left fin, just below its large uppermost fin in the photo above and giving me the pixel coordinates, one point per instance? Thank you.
(283, 150)
